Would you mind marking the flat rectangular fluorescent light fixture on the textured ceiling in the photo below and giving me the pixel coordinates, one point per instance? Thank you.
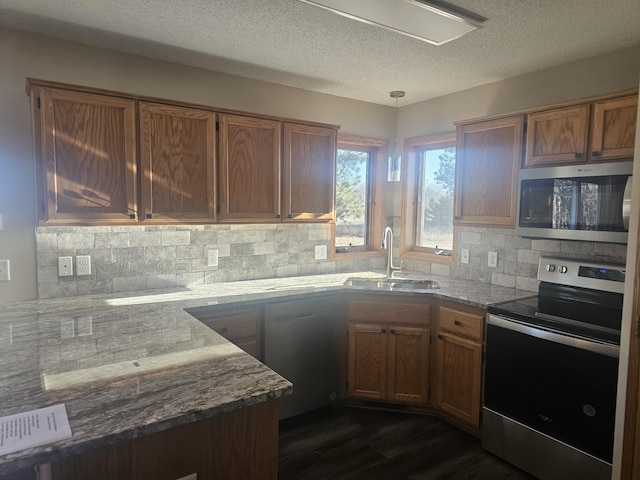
(432, 21)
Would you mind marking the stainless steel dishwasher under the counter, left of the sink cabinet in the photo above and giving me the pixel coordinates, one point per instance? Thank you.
(301, 343)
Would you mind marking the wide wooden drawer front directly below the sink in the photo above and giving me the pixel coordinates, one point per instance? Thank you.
(390, 311)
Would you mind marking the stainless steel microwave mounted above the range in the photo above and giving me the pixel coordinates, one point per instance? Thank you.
(576, 202)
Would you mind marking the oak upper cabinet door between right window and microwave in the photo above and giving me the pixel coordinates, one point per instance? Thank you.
(488, 156)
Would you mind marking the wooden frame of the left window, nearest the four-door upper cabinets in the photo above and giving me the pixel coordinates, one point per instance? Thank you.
(377, 196)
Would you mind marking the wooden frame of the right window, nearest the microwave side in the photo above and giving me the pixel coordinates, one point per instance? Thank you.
(410, 181)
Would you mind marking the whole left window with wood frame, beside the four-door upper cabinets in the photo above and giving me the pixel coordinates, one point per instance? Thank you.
(360, 196)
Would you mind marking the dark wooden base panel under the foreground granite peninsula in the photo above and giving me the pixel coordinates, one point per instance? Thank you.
(240, 444)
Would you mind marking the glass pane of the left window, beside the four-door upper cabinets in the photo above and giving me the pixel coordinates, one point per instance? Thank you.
(352, 192)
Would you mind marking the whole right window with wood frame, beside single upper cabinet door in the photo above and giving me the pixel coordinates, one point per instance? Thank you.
(427, 186)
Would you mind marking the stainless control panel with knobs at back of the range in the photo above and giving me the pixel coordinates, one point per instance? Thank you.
(582, 273)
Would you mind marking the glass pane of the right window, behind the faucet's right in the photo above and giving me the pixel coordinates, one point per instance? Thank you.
(435, 212)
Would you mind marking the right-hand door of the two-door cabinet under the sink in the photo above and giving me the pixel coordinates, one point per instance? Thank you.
(408, 368)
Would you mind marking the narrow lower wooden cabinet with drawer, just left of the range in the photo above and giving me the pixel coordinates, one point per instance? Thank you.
(458, 363)
